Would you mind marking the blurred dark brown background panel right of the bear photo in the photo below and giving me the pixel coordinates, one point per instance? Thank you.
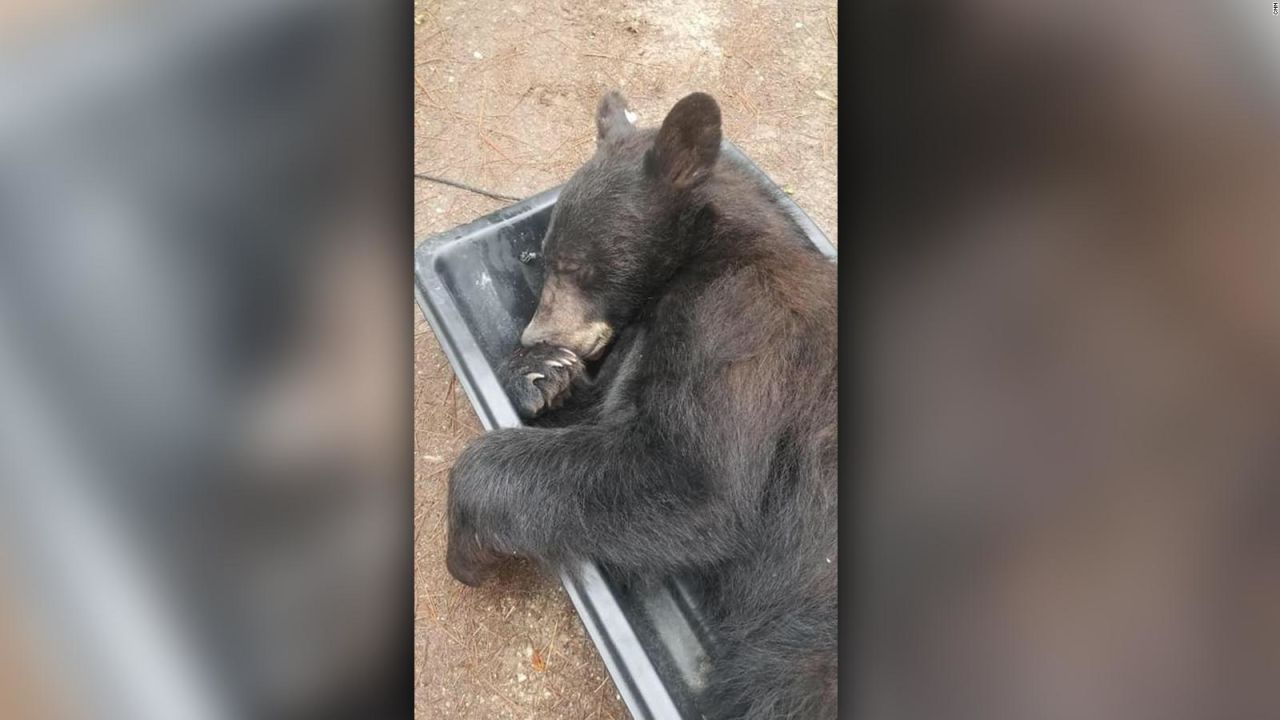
(1069, 334)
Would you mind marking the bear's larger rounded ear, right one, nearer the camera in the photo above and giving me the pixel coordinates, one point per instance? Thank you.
(689, 142)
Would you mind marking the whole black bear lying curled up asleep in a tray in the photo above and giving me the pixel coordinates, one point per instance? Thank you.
(687, 341)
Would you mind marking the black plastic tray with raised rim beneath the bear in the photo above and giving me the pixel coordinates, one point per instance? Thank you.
(478, 298)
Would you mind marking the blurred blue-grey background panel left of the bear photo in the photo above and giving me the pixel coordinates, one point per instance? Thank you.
(205, 290)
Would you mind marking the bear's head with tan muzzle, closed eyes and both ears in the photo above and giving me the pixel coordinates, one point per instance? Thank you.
(625, 222)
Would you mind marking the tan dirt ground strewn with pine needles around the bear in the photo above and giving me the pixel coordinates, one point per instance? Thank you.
(505, 98)
